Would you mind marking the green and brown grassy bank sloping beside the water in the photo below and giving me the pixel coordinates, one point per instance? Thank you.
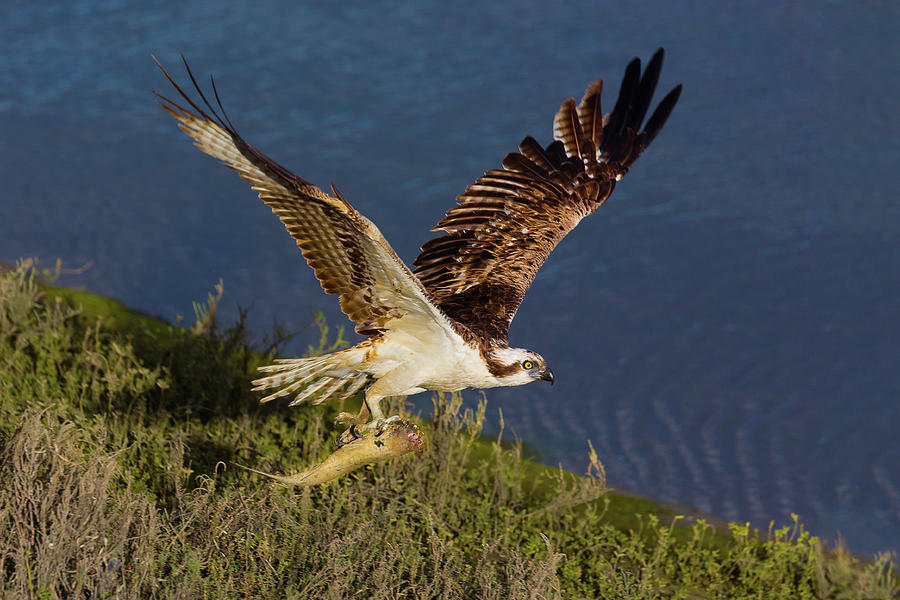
(119, 434)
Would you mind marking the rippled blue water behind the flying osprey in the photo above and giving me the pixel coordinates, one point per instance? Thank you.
(725, 330)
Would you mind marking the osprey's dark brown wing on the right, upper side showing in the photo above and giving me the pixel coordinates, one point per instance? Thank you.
(506, 224)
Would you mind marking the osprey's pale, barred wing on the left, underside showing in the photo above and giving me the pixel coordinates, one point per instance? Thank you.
(348, 253)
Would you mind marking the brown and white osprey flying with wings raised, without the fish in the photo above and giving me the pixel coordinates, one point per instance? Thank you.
(442, 326)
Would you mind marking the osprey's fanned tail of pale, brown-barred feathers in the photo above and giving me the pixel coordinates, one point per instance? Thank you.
(319, 378)
